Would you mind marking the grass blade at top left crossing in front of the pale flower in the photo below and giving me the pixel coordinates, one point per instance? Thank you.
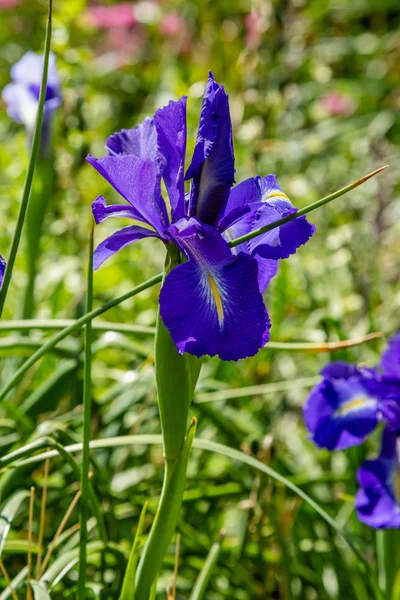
(31, 167)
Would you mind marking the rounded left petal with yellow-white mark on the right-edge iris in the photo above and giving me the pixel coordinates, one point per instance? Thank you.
(340, 411)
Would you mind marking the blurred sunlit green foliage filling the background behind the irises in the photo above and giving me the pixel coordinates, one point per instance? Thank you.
(315, 97)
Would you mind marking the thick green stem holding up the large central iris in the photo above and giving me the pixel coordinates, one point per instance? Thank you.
(176, 377)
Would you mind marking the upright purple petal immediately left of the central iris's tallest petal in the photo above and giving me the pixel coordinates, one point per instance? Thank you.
(170, 123)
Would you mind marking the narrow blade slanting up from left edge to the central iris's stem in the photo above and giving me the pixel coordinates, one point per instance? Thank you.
(75, 326)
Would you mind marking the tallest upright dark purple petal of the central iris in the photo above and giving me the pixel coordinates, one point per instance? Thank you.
(212, 167)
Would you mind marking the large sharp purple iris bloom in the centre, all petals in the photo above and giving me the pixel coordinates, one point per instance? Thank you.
(212, 302)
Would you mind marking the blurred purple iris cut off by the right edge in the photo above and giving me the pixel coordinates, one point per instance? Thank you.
(344, 409)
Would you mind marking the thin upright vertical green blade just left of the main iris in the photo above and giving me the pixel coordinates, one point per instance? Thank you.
(84, 504)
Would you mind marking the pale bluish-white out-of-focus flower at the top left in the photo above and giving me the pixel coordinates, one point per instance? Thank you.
(22, 94)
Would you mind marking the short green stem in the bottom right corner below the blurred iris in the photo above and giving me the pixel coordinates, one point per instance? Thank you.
(388, 542)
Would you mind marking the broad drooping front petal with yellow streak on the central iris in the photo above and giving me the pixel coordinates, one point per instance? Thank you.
(211, 304)
